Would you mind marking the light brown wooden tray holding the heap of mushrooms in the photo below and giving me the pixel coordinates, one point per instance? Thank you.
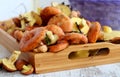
(49, 62)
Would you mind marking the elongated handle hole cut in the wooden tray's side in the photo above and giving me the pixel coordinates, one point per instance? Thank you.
(88, 53)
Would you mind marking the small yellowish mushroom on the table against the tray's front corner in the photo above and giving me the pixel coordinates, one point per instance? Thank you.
(27, 69)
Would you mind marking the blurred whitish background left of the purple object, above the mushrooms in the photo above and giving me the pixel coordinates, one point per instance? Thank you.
(13, 8)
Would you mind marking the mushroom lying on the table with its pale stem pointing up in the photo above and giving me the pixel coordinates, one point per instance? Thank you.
(8, 64)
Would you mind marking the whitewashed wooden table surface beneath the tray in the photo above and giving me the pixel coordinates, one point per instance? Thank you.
(109, 70)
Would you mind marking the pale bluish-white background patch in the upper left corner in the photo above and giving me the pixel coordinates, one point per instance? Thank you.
(13, 8)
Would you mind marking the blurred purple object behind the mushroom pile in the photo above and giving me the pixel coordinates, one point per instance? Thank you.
(107, 12)
